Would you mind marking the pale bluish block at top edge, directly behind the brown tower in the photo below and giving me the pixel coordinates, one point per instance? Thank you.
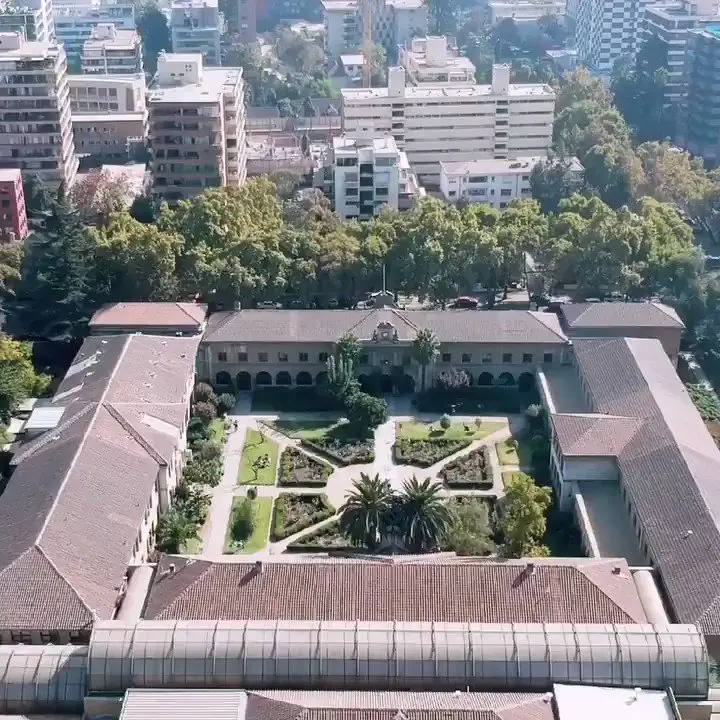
(196, 26)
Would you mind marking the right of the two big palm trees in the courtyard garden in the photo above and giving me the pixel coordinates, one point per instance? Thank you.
(425, 518)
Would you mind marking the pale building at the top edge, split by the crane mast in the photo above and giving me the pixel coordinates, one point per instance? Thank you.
(395, 22)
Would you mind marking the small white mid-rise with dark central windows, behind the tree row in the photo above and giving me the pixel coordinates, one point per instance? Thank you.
(362, 176)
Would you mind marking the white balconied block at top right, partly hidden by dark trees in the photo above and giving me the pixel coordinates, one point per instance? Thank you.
(670, 24)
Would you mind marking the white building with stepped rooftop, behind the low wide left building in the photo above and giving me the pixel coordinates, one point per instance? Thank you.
(112, 51)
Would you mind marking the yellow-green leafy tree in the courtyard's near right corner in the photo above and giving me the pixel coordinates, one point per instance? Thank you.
(523, 515)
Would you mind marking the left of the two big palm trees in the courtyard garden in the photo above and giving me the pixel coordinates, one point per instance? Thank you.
(364, 516)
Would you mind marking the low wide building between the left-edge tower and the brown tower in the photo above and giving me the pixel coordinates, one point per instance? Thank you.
(109, 115)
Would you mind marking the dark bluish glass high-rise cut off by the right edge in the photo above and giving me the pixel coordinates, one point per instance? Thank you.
(699, 121)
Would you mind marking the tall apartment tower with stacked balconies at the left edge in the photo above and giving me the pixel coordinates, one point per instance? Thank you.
(35, 126)
